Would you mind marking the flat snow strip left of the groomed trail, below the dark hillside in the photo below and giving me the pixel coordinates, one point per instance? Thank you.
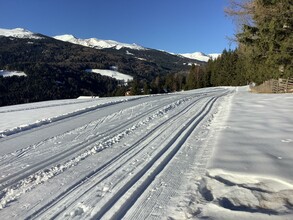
(33, 115)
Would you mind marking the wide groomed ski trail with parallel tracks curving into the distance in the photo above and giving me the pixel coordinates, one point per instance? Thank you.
(126, 159)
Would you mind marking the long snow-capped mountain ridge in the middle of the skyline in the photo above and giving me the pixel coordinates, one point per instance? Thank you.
(97, 43)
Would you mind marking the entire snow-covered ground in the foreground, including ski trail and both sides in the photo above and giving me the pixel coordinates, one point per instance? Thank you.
(216, 153)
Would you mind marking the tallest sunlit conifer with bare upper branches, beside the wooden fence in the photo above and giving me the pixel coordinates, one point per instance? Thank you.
(265, 38)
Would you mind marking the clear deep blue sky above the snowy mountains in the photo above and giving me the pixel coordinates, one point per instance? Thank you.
(179, 26)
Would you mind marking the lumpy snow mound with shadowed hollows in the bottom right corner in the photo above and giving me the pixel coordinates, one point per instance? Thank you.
(224, 195)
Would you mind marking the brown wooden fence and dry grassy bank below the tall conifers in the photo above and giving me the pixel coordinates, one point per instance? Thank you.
(274, 86)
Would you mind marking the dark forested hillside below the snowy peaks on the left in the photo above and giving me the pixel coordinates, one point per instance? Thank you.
(56, 69)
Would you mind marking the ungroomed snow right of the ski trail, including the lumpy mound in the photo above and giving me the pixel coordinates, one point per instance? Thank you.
(250, 172)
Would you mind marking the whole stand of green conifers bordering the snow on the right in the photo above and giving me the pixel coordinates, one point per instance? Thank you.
(265, 44)
